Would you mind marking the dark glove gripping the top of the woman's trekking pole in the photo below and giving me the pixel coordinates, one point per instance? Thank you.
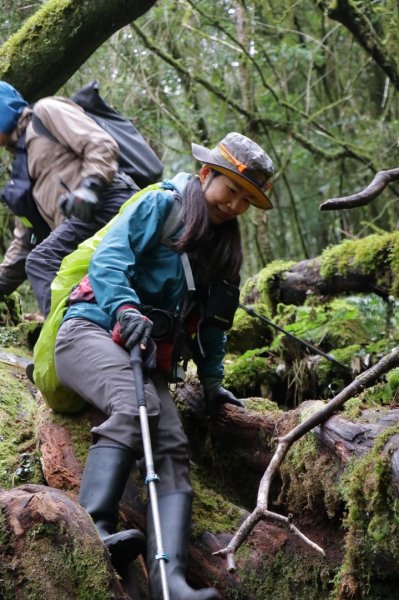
(132, 327)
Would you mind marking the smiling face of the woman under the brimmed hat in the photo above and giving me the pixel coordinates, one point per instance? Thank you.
(226, 199)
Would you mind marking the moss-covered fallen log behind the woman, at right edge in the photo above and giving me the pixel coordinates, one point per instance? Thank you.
(366, 265)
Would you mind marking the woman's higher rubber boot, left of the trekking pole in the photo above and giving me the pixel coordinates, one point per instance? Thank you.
(104, 479)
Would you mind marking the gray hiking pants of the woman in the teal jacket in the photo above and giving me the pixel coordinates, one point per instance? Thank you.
(90, 363)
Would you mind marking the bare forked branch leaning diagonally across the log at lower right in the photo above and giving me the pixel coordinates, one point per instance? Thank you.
(261, 512)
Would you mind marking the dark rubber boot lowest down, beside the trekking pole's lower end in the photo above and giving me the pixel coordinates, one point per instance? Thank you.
(175, 516)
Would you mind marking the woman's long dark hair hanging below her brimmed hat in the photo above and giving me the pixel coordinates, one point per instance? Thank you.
(215, 248)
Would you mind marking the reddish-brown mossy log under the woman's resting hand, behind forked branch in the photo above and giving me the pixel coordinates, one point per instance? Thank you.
(236, 439)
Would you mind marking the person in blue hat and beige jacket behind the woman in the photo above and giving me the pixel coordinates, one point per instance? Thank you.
(77, 187)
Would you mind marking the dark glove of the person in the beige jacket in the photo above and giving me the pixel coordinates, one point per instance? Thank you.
(82, 202)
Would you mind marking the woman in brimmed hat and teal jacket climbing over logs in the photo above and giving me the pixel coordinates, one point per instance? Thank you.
(140, 289)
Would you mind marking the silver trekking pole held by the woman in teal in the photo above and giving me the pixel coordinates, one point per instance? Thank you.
(151, 477)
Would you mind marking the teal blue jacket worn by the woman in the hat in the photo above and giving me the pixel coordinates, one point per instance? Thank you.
(132, 266)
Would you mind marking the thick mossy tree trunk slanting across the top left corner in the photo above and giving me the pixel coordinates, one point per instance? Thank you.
(53, 43)
